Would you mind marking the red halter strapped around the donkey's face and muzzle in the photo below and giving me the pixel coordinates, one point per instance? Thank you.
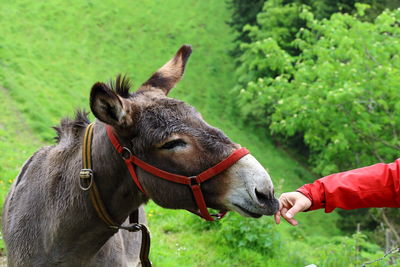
(192, 181)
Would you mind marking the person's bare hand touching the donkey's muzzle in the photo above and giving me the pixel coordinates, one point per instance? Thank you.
(289, 205)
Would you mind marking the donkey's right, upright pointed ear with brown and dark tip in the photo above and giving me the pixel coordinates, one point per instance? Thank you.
(169, 74)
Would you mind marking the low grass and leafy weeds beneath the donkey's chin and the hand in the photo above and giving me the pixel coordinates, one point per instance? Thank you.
(253, 242)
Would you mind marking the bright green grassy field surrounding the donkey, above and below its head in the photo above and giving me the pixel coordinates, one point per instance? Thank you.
(52, 52)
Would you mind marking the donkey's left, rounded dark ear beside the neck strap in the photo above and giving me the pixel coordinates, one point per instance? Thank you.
(106, 105)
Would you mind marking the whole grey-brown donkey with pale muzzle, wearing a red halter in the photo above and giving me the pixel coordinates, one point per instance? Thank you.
(49, 221)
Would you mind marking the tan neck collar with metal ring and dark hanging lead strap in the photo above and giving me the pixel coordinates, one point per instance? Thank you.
(87, 183)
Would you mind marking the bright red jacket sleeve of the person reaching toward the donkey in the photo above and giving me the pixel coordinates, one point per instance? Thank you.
(374, 186)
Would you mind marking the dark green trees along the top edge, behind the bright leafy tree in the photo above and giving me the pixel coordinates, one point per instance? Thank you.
(245, 13)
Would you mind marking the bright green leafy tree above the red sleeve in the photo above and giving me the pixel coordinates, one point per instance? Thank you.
(340, 93)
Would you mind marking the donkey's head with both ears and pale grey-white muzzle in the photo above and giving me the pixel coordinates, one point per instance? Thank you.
(172, 136)
